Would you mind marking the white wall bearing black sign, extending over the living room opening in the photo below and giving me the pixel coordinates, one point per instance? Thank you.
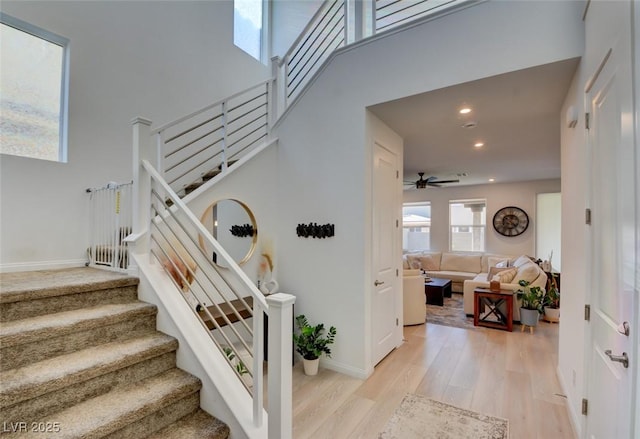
(324, 158)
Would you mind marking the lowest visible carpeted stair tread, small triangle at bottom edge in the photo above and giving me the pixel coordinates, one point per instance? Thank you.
(199, 425)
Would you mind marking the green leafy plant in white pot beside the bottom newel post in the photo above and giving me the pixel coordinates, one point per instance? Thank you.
(311, 342)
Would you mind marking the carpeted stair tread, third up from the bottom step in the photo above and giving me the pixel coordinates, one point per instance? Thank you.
(55, 373)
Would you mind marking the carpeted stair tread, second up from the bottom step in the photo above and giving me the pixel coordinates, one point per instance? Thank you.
(108, 413)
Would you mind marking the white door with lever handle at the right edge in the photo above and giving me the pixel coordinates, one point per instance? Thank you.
(609, 388)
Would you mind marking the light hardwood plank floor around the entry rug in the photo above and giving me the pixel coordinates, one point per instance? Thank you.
(510, 375)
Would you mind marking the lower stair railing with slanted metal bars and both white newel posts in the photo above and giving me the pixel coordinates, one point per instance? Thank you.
(225, 301)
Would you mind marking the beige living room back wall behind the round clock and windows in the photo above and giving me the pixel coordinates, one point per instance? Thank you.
(521, 194)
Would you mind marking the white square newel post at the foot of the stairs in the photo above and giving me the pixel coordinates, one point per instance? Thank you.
(279, 372)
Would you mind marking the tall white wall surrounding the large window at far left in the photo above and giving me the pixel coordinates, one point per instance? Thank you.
(158, 60)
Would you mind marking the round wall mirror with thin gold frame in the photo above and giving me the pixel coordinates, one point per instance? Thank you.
(233, 225)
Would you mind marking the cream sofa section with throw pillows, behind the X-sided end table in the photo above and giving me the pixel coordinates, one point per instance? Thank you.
(522, 268)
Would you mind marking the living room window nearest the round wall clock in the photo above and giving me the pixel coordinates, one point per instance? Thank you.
(467, 225)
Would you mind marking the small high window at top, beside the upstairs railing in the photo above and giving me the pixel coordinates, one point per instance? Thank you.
(247, 26)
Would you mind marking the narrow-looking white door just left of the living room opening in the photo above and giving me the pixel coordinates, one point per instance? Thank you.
(385, 285)
